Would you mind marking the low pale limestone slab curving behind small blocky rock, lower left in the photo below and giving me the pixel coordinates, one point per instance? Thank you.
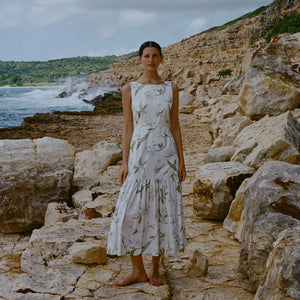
(50, 244)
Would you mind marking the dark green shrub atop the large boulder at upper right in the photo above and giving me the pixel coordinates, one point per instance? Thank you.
(290, 24)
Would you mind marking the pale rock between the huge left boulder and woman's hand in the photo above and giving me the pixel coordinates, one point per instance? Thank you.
(89, 164)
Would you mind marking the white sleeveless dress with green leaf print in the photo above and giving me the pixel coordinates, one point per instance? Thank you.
(149, 213)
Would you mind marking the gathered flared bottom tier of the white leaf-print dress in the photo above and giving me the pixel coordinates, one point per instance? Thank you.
(148, 218)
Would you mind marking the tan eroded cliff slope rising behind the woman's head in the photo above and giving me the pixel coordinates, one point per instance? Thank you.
(194, 63)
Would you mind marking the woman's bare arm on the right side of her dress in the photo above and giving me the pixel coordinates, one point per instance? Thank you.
(175, 130)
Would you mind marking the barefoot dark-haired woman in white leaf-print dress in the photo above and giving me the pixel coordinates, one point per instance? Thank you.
(149, 213)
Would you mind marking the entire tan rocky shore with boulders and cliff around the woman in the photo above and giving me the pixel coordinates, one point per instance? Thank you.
(241, 136)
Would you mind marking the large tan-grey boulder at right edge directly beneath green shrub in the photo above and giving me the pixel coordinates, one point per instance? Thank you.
(272, 84)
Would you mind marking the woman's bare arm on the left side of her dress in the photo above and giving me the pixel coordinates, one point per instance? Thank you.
(127, 130)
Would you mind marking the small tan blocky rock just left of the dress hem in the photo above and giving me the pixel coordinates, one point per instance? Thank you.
(88, 253)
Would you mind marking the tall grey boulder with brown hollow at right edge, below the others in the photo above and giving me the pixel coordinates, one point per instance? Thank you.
(271, 204)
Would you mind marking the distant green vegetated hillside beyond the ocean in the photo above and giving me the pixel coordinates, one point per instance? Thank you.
(48, 72)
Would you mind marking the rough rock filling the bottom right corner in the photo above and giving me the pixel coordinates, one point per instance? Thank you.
(282, 268)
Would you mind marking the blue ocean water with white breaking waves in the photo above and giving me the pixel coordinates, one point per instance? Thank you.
(19, 103)
